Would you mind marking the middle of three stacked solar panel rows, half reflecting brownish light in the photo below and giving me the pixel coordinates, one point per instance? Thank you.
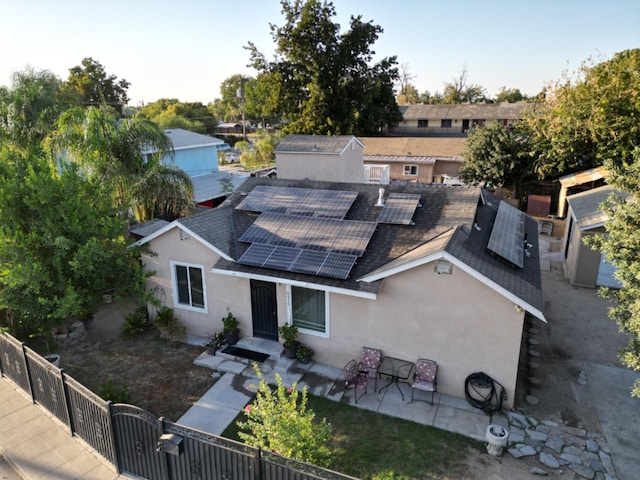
(347, 237)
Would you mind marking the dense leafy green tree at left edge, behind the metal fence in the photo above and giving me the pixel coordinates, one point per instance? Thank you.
(61, 247)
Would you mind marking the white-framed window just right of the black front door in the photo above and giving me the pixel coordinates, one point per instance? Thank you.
(309, 310)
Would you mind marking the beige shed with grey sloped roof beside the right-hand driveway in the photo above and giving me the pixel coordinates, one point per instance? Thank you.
(588, 267)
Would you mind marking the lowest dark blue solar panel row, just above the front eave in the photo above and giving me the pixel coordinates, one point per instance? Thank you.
(325, 264)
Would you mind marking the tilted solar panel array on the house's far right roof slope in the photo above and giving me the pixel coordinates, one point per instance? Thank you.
(507, 235)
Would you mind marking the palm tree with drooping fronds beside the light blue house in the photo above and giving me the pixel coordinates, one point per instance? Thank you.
(114, 150)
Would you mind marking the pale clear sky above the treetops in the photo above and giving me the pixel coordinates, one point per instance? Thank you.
(186, 49)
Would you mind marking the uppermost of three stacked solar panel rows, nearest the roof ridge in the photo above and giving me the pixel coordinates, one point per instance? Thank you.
(299, 201)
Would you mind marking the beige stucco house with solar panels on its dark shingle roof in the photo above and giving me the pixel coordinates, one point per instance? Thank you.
(422, 276)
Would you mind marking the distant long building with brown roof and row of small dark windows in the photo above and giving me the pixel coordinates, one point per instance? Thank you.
(455, 119)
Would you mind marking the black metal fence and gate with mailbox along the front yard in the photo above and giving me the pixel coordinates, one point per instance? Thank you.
(137, 442)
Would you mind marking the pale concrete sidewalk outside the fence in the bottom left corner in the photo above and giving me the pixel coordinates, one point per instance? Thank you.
(37, 446)
